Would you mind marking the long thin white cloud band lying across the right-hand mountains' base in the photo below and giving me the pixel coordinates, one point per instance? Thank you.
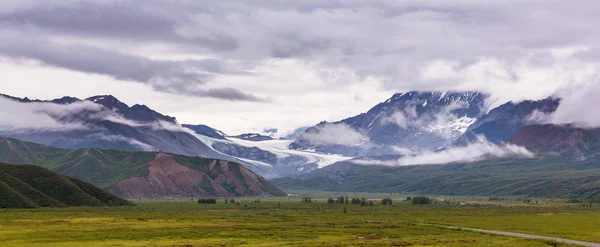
(480, 150)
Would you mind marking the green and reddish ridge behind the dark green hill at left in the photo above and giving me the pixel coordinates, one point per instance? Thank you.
(141, 174)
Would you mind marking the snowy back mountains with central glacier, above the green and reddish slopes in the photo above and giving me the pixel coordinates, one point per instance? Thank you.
(413, 121)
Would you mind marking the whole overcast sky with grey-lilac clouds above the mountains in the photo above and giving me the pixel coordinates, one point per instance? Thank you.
(243, 66)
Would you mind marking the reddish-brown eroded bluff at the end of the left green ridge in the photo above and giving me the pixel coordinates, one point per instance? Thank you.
(167, 178)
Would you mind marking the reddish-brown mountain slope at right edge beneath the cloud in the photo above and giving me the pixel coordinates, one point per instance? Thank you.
(557, 138)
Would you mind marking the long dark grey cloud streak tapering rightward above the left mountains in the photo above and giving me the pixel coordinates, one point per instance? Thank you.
(186, 77)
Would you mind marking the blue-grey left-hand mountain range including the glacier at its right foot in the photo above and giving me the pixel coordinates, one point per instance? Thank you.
(107, 123)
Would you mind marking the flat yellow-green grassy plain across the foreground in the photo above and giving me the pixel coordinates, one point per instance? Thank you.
(290, 222)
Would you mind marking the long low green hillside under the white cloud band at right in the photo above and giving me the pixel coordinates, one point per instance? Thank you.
(567, 175)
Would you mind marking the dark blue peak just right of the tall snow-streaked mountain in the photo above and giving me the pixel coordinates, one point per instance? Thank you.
(503, 122)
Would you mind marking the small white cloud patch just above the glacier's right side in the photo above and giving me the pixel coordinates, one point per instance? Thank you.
(338, 134)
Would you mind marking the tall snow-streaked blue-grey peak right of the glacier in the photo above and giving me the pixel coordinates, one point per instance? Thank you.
(413, 120)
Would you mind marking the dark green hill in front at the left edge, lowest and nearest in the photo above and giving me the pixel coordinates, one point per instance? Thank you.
(28, 186)
